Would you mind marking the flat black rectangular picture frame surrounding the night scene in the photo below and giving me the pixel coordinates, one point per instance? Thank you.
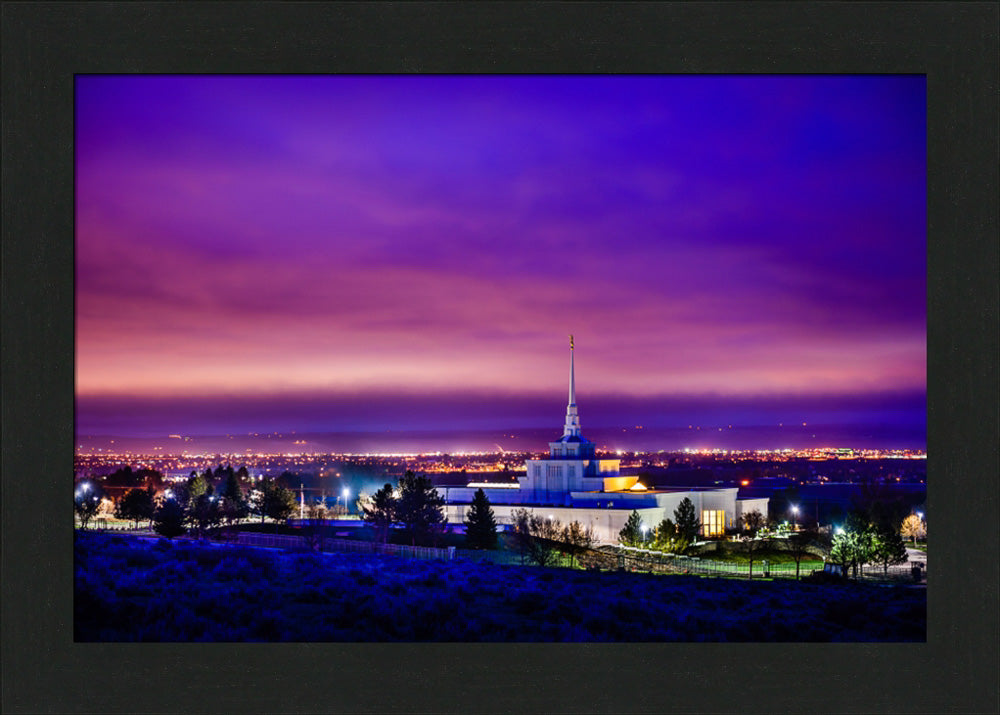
(45, 44)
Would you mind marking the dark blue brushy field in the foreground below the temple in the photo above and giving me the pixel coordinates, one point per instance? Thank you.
(133, 589)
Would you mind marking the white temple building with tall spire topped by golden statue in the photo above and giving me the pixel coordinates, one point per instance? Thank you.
(573, 484)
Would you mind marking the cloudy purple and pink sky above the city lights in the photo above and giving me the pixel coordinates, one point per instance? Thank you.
(340, 242)
